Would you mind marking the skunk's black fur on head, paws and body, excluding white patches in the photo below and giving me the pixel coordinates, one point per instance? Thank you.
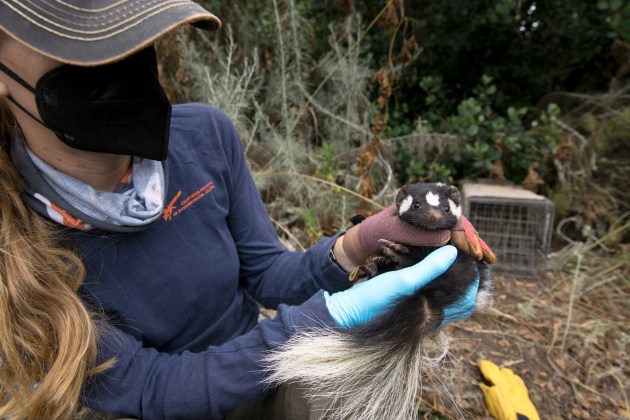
(413, 318)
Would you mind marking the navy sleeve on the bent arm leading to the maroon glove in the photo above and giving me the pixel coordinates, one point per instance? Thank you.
(271, 274)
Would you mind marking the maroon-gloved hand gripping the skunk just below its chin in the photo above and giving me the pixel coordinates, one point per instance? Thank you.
(363, 239)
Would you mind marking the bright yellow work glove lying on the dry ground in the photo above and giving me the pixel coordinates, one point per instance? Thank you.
(506, 397)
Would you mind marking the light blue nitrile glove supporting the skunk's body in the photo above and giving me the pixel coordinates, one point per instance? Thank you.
(361, 303)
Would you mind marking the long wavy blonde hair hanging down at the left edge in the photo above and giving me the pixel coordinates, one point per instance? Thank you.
(48, 339)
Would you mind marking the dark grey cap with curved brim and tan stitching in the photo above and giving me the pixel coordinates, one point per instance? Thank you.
(96, 32)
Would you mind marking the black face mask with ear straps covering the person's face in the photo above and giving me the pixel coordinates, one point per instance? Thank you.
(118, 108)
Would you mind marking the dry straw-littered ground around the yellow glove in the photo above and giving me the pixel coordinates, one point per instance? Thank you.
(567, 336)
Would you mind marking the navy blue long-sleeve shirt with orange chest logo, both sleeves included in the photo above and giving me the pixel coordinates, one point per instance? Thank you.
(181, 295)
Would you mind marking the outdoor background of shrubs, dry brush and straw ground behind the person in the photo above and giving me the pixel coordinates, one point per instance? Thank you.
(339, 103)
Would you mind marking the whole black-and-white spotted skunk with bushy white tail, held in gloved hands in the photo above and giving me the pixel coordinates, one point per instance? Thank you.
(375, 371)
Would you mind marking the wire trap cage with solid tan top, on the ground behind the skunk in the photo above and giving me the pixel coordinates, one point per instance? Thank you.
(516, 223)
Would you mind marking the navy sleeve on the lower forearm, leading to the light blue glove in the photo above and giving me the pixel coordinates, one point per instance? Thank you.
(145, 383)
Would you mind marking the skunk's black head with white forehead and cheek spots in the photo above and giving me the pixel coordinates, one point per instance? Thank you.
(431, 206)
